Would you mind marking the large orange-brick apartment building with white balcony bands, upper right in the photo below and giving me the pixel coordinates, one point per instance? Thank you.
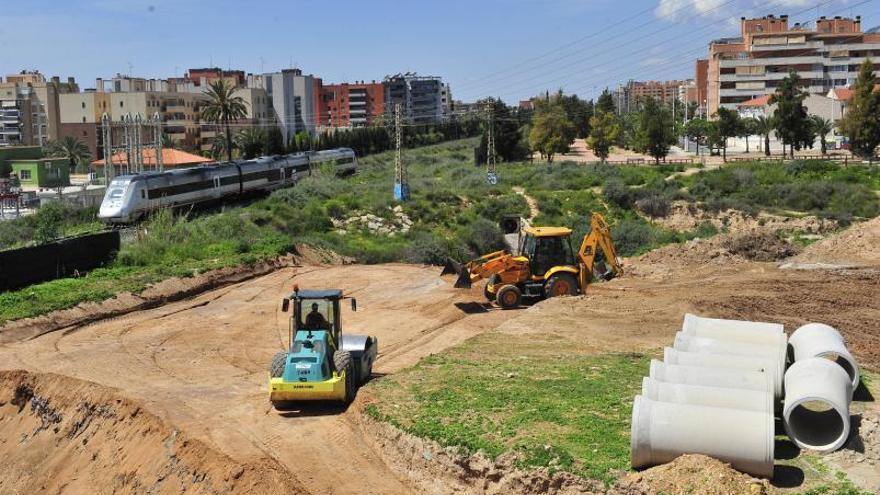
(826, 56)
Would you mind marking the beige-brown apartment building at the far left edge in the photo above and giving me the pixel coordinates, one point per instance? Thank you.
(29, 112)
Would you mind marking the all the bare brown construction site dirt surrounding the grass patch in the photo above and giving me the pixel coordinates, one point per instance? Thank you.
(173, 399)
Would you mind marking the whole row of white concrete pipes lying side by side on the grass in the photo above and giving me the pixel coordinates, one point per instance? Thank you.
(715, 394)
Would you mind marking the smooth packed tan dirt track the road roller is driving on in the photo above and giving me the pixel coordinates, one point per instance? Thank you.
(202, 365)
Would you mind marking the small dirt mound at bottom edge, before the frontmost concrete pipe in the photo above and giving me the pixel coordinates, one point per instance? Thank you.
(694, 474)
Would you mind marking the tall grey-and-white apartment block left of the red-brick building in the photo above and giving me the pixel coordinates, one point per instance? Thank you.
(293, 99)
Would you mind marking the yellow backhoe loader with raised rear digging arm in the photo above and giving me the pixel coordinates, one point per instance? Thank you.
(545, 266)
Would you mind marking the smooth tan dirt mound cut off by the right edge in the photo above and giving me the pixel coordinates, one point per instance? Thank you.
(857, 245)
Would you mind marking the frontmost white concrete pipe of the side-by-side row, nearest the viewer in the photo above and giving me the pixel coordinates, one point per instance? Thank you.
(662, 431)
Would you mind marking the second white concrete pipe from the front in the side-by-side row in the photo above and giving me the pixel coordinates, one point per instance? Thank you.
(701, 395)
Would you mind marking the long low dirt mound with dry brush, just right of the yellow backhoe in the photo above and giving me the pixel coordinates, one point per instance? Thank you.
(725, 249)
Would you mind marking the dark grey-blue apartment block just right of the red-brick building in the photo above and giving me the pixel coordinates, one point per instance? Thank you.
(423, 99)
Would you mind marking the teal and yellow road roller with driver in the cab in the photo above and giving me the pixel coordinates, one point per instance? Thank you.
(320, 363)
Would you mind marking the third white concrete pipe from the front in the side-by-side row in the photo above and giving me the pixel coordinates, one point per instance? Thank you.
(711, 377)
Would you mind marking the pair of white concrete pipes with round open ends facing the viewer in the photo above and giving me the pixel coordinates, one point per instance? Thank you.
(819, 386)
